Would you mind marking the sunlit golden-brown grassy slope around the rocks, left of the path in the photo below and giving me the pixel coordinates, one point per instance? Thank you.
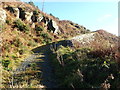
(17, 44)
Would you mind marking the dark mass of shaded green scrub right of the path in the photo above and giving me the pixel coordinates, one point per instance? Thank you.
(82, 70)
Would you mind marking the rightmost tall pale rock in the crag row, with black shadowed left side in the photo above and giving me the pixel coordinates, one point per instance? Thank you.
(52, 25)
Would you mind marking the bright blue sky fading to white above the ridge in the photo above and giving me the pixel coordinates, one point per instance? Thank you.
(93, 14)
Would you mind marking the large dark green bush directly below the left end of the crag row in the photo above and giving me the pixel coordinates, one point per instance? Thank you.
(20, 25)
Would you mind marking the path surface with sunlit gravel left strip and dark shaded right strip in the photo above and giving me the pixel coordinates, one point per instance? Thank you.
(42, 53)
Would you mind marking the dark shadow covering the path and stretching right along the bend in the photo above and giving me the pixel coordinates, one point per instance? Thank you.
(48, 76)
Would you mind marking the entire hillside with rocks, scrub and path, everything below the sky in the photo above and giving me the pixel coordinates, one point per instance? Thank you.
(30, 36)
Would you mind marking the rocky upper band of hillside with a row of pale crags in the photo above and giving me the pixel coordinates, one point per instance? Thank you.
(27, 12)
